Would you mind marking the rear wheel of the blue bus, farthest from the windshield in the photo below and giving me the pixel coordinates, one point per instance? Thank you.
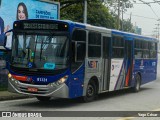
(137, 85)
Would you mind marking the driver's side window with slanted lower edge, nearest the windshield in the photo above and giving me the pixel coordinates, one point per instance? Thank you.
(78, 49)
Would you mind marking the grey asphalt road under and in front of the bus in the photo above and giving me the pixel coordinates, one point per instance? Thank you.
(148, 99)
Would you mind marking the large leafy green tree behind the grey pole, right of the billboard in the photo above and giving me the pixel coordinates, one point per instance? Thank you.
(98, 14)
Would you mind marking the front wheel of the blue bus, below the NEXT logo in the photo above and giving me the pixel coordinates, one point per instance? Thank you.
(91, 92)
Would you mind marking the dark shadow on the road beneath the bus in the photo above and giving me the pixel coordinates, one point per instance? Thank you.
(67, 103)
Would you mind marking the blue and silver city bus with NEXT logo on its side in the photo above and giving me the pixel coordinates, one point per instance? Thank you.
(65, 59)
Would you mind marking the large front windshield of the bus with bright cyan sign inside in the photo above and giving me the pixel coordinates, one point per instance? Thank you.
(40, 51)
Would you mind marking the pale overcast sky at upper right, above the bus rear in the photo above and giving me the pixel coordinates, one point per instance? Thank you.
(148, 16)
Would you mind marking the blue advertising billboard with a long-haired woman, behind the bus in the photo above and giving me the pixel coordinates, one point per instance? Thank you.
(12, 10)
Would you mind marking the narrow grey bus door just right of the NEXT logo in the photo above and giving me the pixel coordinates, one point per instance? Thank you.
(106, 47)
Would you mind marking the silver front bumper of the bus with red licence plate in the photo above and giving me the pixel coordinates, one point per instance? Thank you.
(58, 91)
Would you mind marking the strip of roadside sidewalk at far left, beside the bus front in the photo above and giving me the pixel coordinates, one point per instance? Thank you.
(5, 95)
